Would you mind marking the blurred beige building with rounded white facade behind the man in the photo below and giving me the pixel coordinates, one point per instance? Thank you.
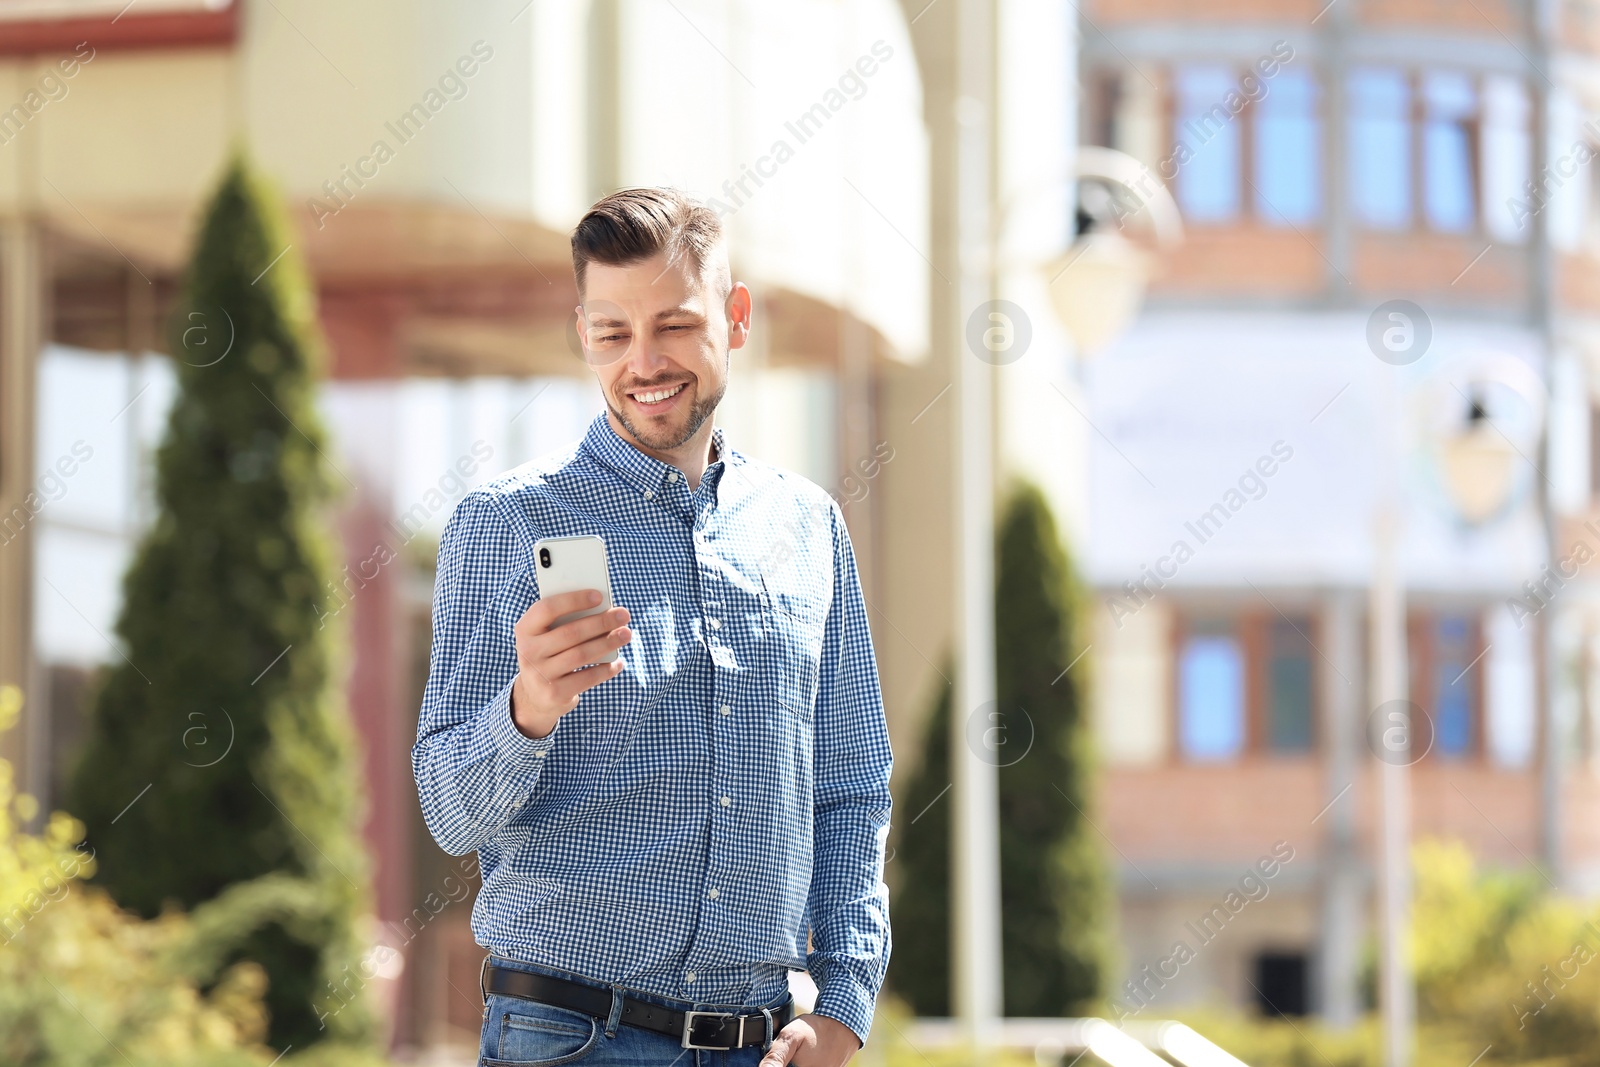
(434, 161)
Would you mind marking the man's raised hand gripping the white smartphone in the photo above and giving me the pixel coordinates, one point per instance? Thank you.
(550, 677)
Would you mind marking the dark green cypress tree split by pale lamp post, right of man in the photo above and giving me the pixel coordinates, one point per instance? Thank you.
(1054, 882)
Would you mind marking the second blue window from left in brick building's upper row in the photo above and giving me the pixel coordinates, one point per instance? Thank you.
(1289, 151)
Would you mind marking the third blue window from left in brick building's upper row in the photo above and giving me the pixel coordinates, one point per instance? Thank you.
(1380, 148)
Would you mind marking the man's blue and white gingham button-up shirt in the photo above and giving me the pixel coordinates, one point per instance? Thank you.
(692, 820)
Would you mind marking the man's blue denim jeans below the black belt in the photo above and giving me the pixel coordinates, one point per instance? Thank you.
(534, 1034)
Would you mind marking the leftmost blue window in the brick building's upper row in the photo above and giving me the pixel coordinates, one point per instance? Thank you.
(1209, 177)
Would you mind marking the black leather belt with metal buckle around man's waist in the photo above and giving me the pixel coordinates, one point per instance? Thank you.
(694, 1029)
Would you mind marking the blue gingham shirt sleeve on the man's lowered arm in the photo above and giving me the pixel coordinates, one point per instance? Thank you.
(849, 901)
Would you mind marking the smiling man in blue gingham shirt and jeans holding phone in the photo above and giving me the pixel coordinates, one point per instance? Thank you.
(663, 837)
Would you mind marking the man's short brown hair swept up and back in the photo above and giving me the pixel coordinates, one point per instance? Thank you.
(634, 225)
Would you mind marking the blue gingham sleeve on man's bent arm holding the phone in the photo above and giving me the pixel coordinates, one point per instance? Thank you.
(474, 770)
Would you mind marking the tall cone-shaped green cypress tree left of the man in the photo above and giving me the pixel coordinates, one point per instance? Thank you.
(222, 769)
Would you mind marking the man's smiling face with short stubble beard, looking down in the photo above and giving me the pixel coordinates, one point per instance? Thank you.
(658, 340)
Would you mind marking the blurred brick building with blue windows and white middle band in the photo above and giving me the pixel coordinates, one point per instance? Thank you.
(1330, 159)
